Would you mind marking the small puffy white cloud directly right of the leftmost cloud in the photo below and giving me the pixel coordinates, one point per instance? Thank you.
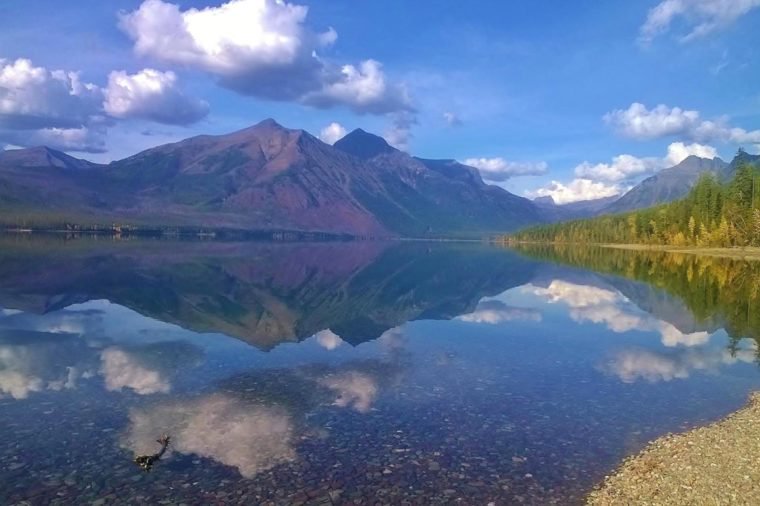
(152, 95)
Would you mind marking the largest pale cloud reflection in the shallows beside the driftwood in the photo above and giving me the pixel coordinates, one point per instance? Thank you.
(248, 436)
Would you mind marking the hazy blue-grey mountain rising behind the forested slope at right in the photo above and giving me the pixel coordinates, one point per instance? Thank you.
(667, 185)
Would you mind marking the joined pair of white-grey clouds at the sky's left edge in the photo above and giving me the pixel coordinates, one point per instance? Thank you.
(56, 108)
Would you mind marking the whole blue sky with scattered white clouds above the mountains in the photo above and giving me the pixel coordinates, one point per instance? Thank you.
(573, 100)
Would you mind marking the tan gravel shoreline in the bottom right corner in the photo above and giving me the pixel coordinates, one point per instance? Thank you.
(712, 465)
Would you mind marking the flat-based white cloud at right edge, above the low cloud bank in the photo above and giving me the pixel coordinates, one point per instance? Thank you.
(639, 122)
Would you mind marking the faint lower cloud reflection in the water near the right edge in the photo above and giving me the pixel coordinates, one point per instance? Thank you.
(638, 364)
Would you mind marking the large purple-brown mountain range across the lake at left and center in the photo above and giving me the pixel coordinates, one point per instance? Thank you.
(265, 177)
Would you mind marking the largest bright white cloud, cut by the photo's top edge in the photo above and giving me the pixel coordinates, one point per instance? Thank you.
(242, 41)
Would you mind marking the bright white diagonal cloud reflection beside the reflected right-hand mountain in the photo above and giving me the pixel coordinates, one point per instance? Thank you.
(615, 311)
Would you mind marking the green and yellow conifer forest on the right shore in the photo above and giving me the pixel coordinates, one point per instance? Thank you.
(712, 214)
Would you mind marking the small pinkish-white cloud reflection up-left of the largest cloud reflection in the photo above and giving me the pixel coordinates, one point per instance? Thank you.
(122, 370)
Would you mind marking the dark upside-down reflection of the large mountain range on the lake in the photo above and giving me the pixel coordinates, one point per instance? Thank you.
(262, 293)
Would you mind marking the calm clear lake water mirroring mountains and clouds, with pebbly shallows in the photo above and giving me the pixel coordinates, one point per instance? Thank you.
(343, 373)
